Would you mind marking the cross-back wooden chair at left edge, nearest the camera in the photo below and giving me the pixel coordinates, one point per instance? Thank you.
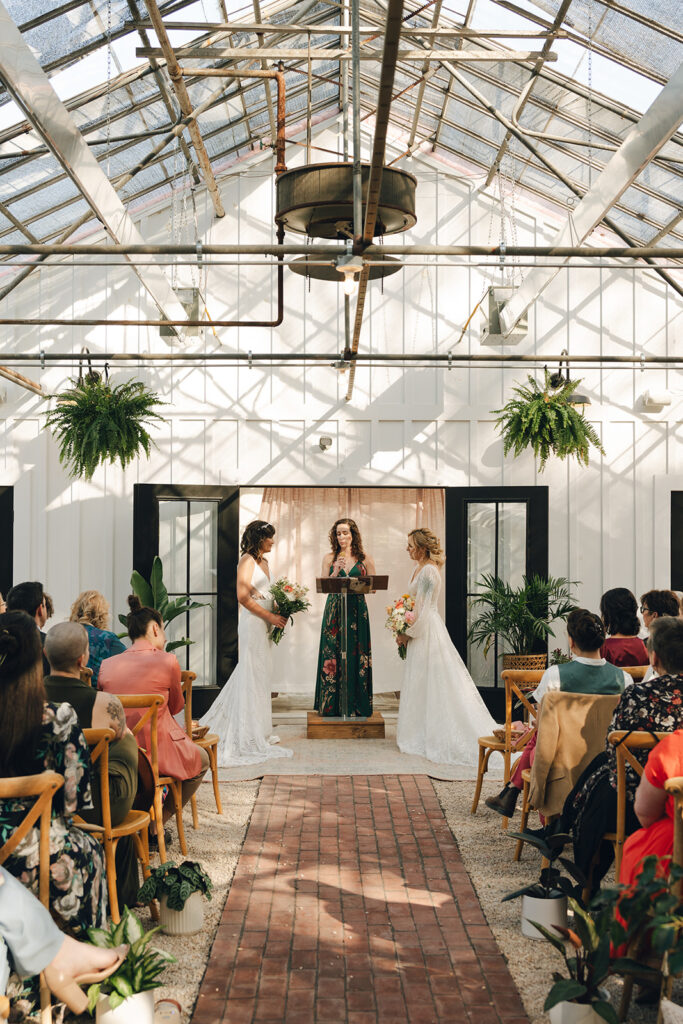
(44, 788)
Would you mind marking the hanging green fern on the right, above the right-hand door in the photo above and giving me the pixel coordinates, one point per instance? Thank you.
(544, 419)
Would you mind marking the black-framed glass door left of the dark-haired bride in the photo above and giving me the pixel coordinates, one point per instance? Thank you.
(195, 531)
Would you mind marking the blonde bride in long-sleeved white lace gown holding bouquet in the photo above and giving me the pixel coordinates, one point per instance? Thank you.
(442, 714)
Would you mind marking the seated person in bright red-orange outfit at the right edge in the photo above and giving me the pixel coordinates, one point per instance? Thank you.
(655, 808)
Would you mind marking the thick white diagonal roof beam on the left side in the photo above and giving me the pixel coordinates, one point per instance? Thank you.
(31, 90)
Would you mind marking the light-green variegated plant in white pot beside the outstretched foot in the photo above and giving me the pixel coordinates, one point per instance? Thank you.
(127, 997)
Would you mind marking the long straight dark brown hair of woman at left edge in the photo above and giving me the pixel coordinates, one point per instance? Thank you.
(22, 694)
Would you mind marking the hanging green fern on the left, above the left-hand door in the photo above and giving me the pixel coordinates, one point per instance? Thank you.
(96, 422)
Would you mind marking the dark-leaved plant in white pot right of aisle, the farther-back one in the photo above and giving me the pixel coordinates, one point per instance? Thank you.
(546, 900)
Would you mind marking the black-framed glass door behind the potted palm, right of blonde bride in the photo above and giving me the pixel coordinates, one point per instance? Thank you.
(503, 531)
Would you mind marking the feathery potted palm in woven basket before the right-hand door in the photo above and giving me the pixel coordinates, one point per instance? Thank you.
(520, 617)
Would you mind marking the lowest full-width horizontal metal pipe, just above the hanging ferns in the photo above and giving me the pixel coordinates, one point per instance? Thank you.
(286, 358)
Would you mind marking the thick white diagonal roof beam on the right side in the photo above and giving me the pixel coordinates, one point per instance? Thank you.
(656, 129)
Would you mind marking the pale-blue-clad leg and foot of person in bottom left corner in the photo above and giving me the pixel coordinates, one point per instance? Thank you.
(36, 945)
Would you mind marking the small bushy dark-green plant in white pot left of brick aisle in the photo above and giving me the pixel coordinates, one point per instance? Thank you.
(180, 890)
